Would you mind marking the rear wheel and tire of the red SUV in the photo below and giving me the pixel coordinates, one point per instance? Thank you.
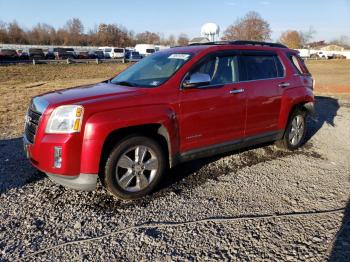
(289, 141)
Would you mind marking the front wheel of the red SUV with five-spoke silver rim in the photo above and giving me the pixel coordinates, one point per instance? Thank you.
(134, 167)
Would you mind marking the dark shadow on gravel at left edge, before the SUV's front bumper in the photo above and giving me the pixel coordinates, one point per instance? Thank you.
(15, 169)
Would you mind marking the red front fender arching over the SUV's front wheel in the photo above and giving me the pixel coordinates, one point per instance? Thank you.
(100, 125)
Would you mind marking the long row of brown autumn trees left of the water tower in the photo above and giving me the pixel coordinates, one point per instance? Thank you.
(73, 33)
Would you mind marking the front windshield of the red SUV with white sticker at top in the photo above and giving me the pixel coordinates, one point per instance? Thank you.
(153, 70)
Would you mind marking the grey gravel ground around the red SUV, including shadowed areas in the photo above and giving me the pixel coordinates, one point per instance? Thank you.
(261, 204)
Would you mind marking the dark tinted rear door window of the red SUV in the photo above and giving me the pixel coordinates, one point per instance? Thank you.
(262, 67)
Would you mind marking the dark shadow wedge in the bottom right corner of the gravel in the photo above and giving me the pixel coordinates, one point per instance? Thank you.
(341, 245)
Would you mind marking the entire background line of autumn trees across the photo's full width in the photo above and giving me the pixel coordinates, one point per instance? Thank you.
(250, 27)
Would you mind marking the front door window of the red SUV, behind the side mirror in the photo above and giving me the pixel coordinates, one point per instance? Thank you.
(222, 70)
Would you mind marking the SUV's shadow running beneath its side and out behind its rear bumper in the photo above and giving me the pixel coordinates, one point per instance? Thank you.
(326, 108)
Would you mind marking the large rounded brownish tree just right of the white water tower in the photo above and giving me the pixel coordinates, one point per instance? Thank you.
(251, 27)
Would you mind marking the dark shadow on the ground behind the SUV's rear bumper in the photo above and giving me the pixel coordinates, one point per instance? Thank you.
(326, 108)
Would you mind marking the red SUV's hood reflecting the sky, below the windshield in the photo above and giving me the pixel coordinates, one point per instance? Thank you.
(83, 94)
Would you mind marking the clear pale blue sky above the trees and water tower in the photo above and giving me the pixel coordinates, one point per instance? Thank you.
(330, 19)
